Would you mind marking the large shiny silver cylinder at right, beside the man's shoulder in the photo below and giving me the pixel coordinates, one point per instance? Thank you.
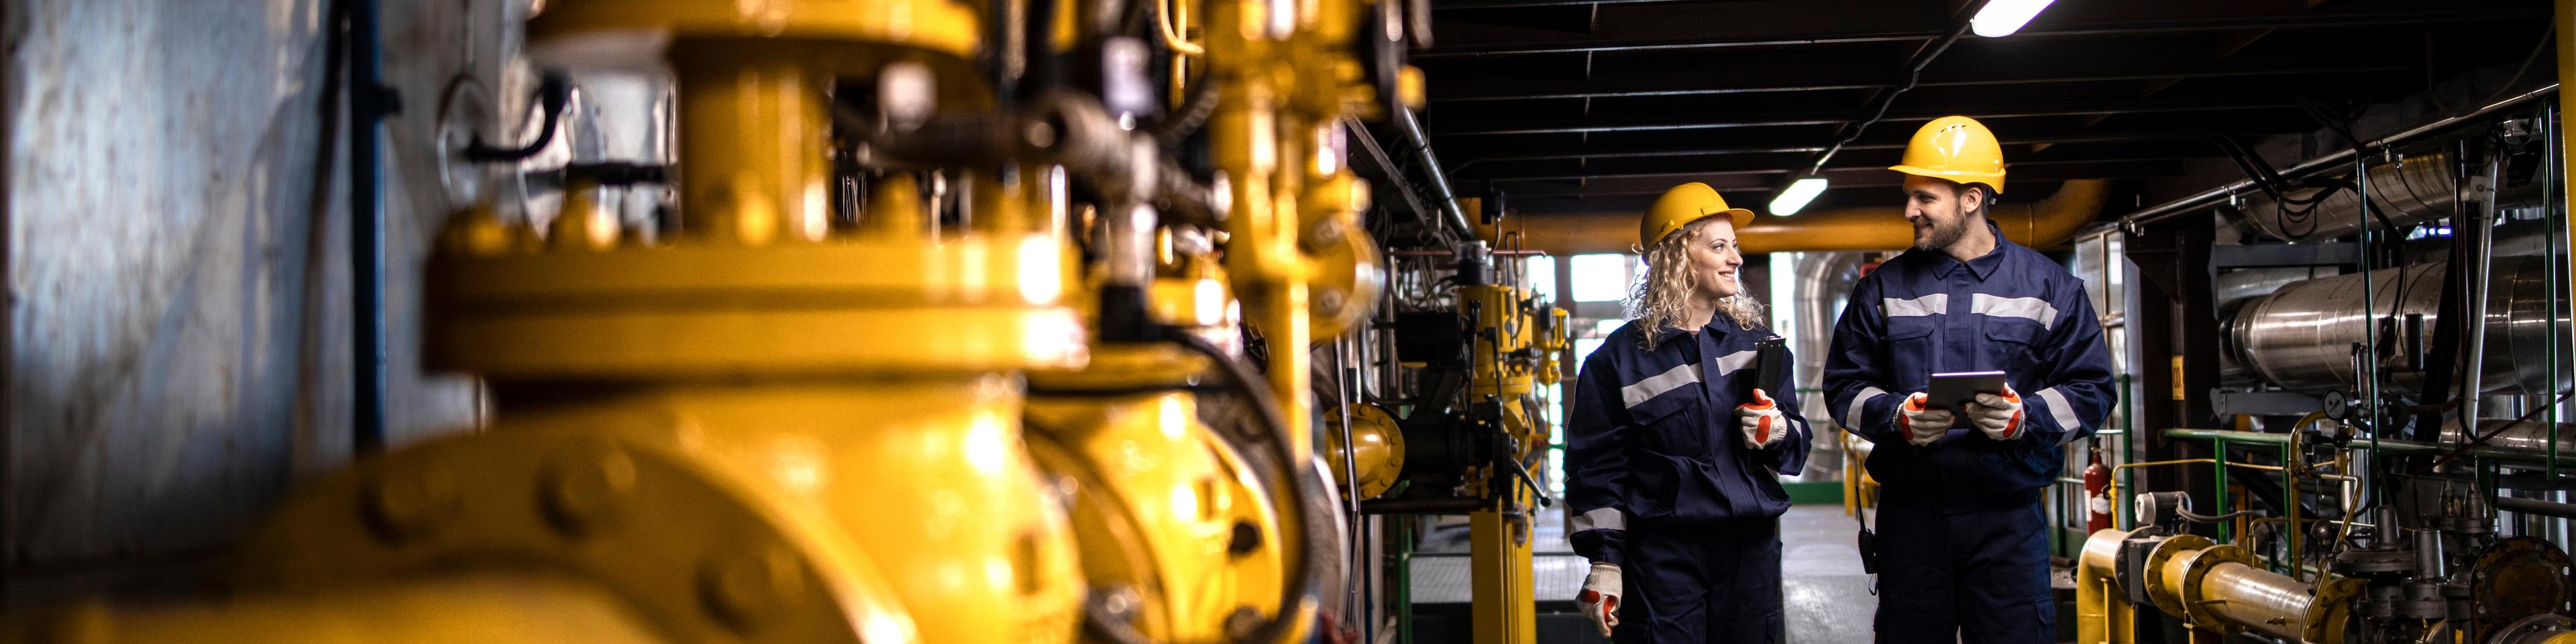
(2302, 336)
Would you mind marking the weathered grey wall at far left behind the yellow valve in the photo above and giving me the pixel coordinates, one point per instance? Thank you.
(179, 279)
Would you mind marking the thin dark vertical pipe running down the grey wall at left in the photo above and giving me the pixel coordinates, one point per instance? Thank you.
(367, 107)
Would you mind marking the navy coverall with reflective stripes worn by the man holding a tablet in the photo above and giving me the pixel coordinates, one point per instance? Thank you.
(1962, 529)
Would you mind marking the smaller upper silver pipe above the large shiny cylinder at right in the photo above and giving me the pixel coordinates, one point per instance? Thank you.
(2407, 192)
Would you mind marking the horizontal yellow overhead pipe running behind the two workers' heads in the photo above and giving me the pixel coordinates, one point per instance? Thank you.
(1871, 228)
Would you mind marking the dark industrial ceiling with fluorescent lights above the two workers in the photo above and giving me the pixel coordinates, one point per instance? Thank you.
(1598, 107)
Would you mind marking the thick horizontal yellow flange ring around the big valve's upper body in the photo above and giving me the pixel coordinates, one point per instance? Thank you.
(990, 303)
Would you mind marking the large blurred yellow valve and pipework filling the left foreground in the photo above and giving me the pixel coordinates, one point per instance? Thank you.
(911, 416)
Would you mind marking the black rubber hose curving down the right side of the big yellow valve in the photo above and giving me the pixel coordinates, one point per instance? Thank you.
(1302, 486)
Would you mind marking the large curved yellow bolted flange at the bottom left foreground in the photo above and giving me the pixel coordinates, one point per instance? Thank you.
(707, 558)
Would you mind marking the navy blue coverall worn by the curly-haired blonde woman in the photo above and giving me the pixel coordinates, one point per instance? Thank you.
(1660, 483)
